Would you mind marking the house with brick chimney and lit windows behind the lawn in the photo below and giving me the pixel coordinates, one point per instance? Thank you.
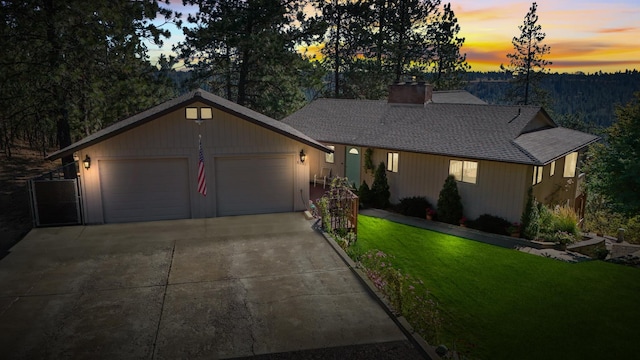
(495, 152)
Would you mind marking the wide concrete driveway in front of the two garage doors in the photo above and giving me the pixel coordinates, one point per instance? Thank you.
(204, 288)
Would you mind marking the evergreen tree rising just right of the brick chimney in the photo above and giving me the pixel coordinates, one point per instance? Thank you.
(448, 66)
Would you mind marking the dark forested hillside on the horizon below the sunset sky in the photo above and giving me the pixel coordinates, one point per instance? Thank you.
(591, 97)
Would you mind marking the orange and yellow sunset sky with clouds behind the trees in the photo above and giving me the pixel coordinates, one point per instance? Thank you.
(584, 35)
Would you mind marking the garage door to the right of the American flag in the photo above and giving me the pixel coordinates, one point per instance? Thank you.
(255, 185)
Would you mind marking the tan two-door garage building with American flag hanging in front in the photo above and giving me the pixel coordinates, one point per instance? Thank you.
(147, 167)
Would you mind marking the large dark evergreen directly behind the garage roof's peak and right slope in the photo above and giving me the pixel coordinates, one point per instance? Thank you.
(245, 51)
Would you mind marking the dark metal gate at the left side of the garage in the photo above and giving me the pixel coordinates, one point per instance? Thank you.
(55, 200)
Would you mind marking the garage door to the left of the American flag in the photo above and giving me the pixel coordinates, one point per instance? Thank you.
(144, 190)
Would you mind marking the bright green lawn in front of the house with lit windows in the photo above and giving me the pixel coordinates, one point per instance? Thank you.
(503, 304)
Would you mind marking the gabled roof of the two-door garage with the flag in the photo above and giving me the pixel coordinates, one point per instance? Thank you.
(182, 101)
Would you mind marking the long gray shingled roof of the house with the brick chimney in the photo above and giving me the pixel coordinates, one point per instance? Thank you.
(516, 134)
